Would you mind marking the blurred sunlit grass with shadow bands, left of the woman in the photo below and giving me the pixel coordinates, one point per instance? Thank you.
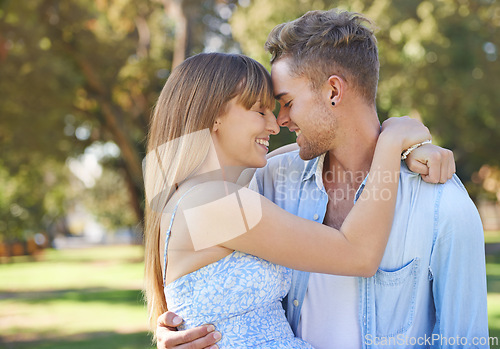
(87, 298)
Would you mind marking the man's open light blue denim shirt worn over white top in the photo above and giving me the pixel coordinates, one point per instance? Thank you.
(430, 288)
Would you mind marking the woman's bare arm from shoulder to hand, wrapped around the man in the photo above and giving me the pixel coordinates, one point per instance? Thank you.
(245, 221)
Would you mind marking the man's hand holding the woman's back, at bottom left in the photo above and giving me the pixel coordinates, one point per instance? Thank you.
(167, 336)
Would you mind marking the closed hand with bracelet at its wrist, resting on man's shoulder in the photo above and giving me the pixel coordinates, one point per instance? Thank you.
(435, 164)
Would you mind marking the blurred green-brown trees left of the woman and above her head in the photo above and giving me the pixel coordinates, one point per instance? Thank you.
(78, 72)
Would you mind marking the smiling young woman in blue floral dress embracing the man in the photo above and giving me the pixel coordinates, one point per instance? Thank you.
(229, 249)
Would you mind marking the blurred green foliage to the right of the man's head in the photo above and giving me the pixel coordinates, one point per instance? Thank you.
(440, 60)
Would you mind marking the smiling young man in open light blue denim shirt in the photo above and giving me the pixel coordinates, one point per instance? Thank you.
(430, 289)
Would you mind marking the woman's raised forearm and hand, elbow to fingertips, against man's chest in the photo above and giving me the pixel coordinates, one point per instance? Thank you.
(368, 225)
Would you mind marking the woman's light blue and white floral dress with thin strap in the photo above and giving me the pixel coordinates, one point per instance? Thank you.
(240, 295)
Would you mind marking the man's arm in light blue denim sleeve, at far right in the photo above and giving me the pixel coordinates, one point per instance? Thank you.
(458, 272)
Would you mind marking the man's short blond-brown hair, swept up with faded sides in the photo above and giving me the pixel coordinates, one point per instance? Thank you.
(324, 43)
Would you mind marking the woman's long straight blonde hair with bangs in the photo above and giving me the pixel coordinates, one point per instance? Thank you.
(195, 94)
